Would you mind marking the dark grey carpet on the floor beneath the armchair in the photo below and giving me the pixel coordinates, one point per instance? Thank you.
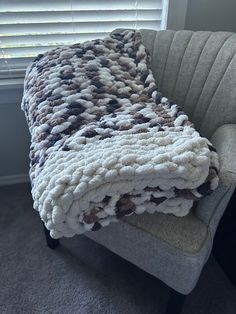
(83, 277)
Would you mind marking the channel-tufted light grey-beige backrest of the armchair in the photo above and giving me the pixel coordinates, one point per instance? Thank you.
(198, 71)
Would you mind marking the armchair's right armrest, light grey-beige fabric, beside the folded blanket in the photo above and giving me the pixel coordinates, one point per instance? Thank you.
(211, 208)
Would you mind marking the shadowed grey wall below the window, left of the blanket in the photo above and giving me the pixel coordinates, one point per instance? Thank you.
(14, 134)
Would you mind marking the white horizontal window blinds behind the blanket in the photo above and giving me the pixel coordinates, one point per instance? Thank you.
(30, 27)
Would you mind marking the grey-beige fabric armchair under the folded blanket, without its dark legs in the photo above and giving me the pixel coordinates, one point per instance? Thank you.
(196, 70)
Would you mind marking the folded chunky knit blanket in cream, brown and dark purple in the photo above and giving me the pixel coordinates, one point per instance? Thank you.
(105, 142)
